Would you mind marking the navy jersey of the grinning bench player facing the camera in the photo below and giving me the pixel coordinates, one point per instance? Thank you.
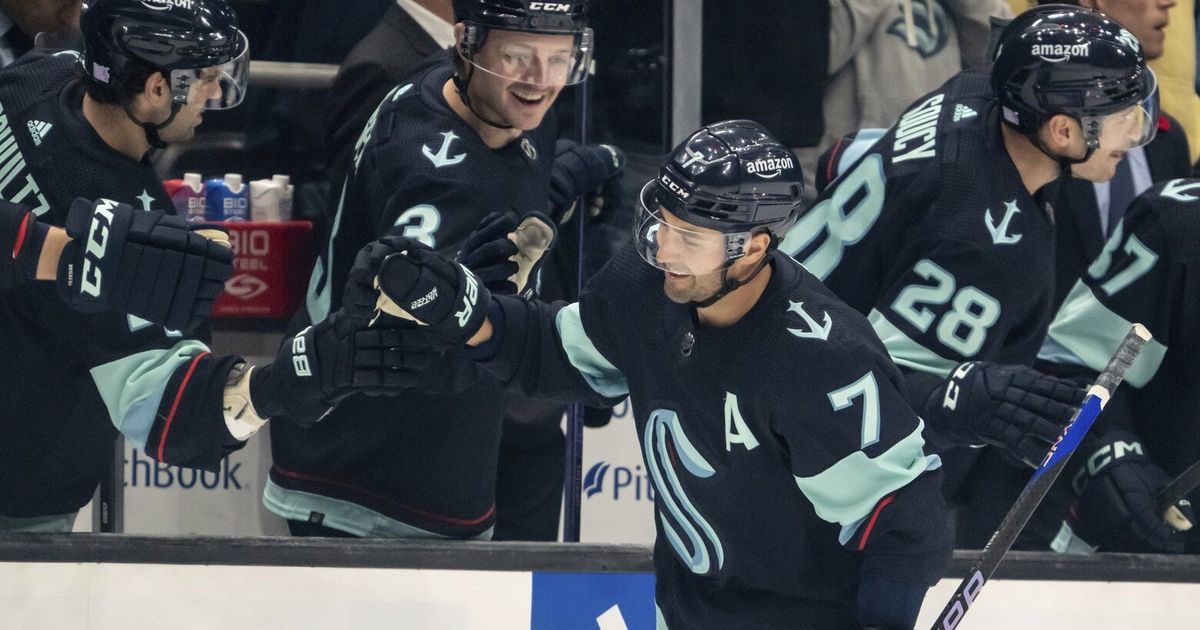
(424, 464)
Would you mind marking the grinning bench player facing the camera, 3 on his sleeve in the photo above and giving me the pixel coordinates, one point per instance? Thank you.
(463, 137)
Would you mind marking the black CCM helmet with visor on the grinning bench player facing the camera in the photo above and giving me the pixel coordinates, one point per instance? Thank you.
(560, 68)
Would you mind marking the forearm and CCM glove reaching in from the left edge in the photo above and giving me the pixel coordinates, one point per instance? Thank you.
(197, 277)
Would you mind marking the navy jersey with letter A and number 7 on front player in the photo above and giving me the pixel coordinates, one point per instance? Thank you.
(773, 445)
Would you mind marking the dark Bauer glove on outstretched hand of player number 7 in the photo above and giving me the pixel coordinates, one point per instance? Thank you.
(416, 285)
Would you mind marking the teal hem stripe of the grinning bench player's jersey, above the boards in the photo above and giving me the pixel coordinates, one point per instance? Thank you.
(344, 515)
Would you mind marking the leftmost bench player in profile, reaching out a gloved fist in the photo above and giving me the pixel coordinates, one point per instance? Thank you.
(73, 380)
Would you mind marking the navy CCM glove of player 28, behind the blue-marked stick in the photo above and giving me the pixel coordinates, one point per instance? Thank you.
(1009, 406)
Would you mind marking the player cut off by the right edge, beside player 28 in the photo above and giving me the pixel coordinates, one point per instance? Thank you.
(1149, 272)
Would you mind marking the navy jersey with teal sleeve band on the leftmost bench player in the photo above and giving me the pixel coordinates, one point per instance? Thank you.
(71, 381)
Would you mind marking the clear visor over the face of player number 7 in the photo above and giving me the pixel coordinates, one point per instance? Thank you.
(671, 245)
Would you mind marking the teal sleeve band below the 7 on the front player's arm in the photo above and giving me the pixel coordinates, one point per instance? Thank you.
(849, 490)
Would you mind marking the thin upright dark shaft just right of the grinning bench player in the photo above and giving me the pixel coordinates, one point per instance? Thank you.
(573, 481)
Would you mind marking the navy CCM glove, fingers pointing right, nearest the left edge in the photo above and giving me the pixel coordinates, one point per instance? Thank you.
(148, 265)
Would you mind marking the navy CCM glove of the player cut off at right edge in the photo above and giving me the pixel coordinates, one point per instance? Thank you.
(1118, 506)
